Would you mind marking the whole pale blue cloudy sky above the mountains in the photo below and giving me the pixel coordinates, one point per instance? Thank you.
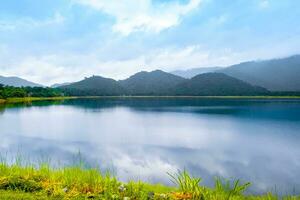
(56, 41)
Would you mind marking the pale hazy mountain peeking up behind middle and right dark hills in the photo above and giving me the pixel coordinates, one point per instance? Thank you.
(189, 73)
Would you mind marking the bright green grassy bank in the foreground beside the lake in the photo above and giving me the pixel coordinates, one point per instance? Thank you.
(44, 182)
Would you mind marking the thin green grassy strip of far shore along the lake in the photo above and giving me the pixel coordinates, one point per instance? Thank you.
(31, 99)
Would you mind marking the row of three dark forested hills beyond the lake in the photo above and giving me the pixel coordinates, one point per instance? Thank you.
(162, 83)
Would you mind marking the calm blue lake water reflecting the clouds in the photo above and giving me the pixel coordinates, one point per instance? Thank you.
(253, 140)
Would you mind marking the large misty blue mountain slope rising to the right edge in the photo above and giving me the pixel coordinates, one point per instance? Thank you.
(275, 75)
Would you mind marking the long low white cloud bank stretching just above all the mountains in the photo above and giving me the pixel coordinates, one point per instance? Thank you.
(73, 66)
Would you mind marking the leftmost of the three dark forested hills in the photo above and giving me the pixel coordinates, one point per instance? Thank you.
(94, 86)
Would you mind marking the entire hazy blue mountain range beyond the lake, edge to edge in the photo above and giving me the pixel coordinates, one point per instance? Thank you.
(280, 75)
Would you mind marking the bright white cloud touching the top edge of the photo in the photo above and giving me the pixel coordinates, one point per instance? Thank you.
(142, 15)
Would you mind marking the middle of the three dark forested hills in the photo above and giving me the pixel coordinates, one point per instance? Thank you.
(150, 83)
